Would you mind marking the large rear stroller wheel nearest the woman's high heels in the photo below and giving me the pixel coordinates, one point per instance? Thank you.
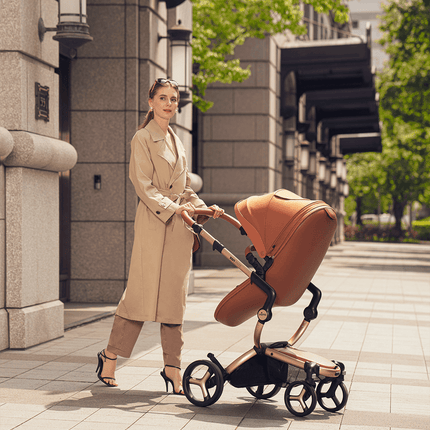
(203, 383)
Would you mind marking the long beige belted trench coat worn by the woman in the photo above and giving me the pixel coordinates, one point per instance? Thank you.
(161, 258)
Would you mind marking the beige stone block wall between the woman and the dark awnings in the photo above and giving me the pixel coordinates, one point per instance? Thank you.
(240, 148)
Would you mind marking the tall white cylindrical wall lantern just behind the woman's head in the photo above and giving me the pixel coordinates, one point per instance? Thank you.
(182, 61)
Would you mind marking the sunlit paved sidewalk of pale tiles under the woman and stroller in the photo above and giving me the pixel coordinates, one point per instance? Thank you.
(374, 316)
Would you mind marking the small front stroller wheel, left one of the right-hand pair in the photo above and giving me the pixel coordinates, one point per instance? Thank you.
(300, 398)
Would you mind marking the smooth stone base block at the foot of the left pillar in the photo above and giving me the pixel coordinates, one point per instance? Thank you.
(35, 324)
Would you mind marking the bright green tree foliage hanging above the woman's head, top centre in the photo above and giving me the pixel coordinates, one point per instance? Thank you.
(221, 25)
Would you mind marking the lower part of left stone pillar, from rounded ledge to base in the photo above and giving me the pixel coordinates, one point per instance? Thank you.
(32, 237)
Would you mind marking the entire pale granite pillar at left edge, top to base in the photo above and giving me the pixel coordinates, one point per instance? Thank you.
(29, 198)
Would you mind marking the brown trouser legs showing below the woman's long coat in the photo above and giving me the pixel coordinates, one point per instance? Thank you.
(125, 332)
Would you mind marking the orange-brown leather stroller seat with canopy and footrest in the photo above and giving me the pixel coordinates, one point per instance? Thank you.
(296, 233)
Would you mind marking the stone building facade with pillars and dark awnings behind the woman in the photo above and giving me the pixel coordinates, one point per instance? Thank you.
(66, 204)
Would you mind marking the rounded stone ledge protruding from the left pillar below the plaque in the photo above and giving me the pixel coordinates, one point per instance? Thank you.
(40, 152)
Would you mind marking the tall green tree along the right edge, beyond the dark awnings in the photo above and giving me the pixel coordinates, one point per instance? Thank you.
(404, 88)
